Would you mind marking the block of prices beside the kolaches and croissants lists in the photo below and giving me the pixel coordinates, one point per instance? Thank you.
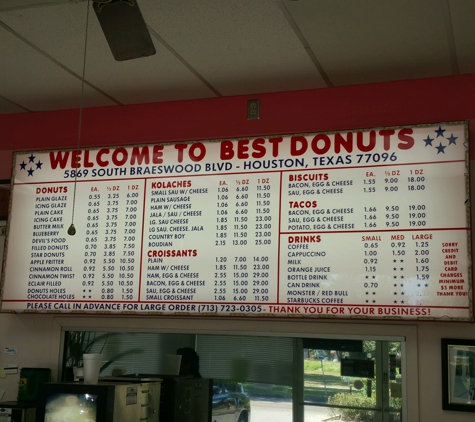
(246, 239)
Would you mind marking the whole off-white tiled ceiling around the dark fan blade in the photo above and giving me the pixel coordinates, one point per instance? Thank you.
(216, 48)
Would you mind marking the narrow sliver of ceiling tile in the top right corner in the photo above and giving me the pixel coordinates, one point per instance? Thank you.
(462, 13)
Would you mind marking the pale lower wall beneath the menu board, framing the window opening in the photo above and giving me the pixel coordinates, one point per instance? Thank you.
(38, 339)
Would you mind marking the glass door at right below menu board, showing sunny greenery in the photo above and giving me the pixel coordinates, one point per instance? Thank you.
(350, 380)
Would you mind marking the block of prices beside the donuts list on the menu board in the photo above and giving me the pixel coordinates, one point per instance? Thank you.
(110, 247)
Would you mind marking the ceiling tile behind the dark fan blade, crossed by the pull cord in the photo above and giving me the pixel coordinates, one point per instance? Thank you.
(60, 32)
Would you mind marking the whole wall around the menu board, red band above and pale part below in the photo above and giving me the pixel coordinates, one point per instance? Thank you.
(388, 104)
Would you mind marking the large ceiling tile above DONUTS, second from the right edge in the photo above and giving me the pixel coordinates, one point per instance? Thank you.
(374, 41)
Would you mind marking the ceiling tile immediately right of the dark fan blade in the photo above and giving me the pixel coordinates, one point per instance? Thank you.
(239, 46)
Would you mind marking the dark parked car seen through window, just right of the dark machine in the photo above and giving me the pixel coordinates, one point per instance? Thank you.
(231, 403)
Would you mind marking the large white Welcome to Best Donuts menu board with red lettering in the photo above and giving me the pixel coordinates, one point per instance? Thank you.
(366, 224)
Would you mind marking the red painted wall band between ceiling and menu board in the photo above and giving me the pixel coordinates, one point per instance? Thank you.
(352, 107)
